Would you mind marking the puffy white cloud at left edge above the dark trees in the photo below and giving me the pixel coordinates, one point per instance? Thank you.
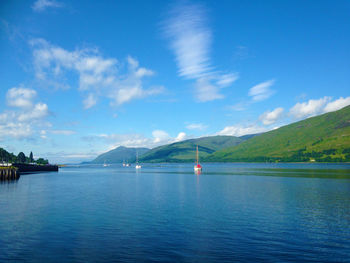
(25, 117)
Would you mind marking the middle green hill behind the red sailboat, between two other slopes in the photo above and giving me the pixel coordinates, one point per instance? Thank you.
(185, 151)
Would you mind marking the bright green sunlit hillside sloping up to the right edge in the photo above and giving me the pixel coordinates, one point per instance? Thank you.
(324, 138)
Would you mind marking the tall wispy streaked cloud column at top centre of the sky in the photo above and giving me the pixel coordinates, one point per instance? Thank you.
(191, 39)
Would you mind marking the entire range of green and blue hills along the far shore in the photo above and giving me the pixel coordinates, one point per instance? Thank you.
(324, 138)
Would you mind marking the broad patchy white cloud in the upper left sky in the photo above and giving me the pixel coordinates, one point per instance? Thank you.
(98, 76)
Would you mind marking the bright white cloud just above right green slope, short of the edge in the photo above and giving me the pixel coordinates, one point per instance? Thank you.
(309, 108)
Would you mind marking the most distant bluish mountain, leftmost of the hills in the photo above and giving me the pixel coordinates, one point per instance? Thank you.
(120, 154)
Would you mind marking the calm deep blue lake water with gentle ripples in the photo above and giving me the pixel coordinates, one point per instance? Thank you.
(165, 213)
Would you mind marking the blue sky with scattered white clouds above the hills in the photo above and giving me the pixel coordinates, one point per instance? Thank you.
(79, 78)
